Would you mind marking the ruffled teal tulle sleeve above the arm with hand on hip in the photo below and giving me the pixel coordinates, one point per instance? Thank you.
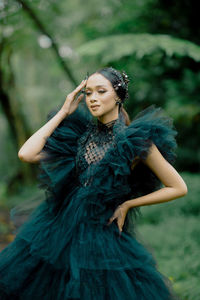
(151, 125)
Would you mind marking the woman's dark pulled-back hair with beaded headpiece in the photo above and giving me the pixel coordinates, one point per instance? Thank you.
(119, 82)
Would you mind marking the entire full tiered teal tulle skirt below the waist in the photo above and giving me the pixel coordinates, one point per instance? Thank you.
(70, 257)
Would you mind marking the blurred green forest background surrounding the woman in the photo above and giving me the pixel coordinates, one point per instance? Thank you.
(47, 48)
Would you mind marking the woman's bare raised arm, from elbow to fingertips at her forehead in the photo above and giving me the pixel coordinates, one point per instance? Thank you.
(31, 149)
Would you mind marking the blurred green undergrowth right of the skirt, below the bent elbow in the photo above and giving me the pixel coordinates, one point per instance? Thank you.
(171, 232)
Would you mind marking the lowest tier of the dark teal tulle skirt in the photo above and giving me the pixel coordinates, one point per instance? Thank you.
(40, 280)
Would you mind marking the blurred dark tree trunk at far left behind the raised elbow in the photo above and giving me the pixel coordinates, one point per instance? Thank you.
(18, 127)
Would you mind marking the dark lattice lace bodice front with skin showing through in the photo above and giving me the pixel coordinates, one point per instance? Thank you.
(93, 145)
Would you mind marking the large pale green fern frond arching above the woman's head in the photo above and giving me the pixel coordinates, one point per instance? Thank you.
(109, 48)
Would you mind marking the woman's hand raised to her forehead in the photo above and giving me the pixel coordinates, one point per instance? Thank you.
(71, 103)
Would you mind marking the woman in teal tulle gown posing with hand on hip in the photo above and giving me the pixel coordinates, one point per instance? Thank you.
(97, 169)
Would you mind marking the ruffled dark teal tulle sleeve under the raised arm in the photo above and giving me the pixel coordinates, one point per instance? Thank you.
(57, 169)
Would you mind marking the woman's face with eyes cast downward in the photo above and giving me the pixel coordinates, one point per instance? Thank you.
(100, 97)
